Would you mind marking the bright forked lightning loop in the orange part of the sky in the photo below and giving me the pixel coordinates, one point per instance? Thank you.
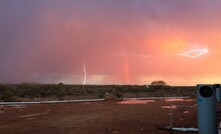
(195, 53)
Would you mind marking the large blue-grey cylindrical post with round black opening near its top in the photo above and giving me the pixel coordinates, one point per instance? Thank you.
(206, 109)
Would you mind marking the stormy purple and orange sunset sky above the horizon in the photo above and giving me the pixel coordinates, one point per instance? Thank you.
(110, 41)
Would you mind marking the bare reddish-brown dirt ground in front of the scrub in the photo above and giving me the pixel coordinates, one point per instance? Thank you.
(108, 117)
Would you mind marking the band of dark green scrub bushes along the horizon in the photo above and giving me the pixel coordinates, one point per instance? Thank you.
(27, 91)
